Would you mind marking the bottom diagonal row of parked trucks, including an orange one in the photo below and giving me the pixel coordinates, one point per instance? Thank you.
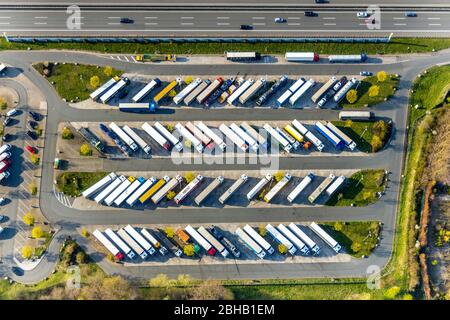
(130, 242)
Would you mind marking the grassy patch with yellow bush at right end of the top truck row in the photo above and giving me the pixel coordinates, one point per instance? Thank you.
(386, 90)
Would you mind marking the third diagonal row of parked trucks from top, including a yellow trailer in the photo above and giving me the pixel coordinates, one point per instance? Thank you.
(115, 190)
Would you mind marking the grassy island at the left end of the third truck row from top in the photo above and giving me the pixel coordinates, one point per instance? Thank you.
(73, 183)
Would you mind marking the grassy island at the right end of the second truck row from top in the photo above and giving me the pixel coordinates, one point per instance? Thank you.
(362, 132)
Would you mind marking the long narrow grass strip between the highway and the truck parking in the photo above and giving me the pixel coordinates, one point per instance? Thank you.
(399, 45)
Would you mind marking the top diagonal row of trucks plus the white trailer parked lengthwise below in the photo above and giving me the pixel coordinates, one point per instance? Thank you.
(206, 92)
